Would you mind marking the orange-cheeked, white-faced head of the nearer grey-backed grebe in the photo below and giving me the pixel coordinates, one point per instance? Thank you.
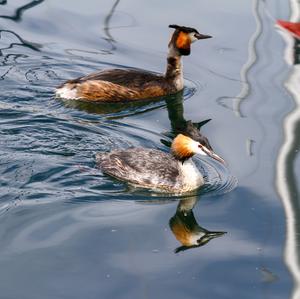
(184, 147)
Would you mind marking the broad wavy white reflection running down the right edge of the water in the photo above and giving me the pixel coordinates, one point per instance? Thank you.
(290, 203)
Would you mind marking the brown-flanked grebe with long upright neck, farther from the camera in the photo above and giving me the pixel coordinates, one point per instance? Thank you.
(119, 85)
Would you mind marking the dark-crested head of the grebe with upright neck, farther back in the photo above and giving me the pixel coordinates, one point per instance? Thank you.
(183, 37)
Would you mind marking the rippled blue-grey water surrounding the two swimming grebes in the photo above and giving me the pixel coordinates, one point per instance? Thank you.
(68, 231)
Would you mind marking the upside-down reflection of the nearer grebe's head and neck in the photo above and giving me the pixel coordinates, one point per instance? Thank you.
(186, 229)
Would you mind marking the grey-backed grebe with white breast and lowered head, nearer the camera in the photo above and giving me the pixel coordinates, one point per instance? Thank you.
(172, 172)
